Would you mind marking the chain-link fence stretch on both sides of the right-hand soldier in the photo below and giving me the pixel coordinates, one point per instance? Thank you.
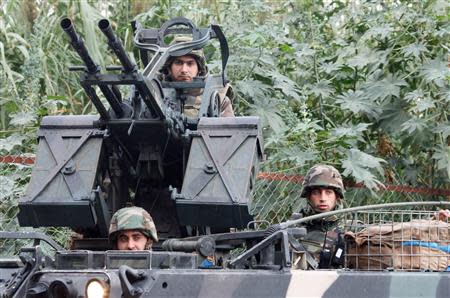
(277, 196)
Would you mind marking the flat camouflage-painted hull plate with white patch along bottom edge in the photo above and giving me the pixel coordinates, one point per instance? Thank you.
(258, 283)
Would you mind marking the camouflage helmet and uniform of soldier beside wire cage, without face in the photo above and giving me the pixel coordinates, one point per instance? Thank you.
(321, 231)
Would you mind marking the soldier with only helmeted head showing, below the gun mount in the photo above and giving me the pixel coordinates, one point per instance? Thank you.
(132, 228)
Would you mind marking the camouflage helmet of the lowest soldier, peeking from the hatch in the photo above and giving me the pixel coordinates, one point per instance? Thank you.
(132, 218)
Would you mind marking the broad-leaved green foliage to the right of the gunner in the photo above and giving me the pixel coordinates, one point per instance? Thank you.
(350, 65)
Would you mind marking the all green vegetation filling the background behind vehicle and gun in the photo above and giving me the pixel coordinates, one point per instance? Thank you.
(362, 85)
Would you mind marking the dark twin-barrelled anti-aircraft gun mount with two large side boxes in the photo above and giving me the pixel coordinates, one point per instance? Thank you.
(193, 174)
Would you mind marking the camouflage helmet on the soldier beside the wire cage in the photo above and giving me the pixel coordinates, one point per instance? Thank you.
(323, 176)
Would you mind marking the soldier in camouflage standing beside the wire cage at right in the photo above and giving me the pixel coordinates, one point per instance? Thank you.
(324, 190)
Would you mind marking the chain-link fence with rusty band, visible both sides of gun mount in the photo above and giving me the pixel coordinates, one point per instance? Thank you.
(276, 195)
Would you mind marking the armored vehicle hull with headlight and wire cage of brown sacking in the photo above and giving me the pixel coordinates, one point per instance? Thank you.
(404, 254)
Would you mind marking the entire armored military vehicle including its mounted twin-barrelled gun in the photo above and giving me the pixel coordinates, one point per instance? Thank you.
(195, 176)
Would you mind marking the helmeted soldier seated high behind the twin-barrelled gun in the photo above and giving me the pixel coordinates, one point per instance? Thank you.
(186, 68)
